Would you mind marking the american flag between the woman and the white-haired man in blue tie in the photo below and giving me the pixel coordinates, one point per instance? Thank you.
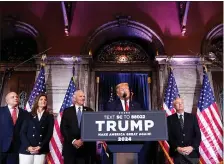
(55, 155)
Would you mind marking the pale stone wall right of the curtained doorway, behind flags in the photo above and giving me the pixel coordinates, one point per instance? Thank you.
(188, 73)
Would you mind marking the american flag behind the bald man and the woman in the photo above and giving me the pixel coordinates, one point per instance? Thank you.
(39, 87)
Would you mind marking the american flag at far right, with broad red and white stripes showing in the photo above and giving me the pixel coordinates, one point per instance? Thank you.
(211, 147)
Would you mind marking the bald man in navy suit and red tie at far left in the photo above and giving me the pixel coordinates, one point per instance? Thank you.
(11, 119)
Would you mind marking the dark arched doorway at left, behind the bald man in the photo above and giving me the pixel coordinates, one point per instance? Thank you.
(19, 43)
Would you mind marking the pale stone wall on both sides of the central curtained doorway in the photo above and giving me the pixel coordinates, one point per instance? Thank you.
(187, 72)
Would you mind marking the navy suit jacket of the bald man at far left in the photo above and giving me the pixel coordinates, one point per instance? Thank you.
(9, 137)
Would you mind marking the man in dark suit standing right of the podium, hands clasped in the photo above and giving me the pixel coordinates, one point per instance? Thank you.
(184, 135)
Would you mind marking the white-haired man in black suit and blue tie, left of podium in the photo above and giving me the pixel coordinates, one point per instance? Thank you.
(76, 151)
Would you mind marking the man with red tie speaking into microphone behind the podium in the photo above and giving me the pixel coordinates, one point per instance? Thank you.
(124, 103)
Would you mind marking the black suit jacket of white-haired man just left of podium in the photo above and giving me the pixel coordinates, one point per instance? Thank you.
(71, 130)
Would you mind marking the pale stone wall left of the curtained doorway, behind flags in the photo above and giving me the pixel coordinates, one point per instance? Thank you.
(59, 71)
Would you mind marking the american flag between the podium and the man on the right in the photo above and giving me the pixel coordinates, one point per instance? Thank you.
(171, 94)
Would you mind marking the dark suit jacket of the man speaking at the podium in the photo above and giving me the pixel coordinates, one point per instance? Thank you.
(117, 106)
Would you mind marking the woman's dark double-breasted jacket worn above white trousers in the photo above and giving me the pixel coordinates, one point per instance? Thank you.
(37, 133)
